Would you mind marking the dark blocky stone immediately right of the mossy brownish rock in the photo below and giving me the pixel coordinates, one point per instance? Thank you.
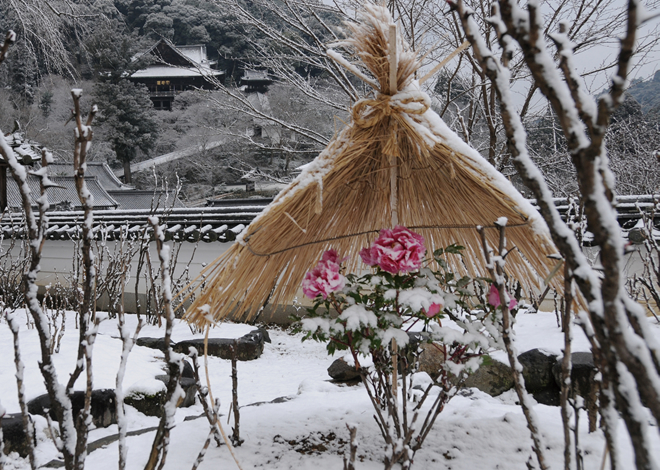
(538, 375)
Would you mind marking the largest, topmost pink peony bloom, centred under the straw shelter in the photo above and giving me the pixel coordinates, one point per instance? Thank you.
(395, 250)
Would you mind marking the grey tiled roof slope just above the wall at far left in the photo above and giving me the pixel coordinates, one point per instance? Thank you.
(63, 196)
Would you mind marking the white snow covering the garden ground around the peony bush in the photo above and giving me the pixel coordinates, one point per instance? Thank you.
(475, 431)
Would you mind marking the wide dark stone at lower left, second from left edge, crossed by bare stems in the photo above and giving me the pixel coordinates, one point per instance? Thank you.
(103, 407)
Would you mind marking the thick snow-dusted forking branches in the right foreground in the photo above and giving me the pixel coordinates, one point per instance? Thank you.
(617, 323)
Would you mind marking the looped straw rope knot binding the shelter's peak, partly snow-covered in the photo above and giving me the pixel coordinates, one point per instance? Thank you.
(368, 112)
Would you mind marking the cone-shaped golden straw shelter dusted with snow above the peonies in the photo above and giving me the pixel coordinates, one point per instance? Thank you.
(396, 159)
